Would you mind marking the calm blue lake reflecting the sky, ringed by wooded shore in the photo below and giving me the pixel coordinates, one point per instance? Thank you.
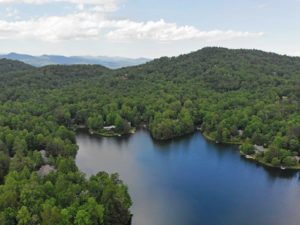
(191, 181)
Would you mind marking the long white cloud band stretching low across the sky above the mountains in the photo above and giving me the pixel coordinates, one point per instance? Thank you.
(93, 25)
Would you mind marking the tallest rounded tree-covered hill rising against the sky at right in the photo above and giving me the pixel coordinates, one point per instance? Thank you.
(223, 69)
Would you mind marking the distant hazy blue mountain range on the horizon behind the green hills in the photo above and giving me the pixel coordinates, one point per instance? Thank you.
(44, 60)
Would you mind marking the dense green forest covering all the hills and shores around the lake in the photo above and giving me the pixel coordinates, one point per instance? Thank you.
(245, 97)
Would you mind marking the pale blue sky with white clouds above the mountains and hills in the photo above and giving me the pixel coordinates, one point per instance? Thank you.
(147, 28)
